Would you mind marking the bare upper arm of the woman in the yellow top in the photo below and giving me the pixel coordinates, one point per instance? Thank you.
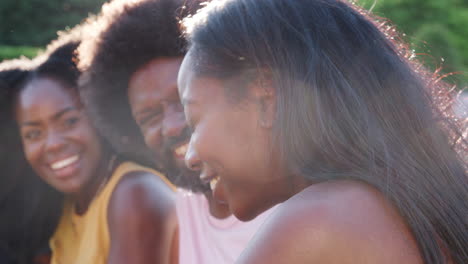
(142, 220)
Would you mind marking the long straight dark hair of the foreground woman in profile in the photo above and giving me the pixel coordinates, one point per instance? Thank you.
(350, 105)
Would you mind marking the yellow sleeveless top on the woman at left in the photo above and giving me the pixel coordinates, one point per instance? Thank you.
(84, 239)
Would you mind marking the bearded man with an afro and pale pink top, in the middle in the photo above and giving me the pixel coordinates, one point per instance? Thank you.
(130, 59)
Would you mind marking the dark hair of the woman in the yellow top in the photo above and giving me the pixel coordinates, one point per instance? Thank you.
(30, 209)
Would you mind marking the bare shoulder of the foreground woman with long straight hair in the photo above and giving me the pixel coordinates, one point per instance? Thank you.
(334, 222)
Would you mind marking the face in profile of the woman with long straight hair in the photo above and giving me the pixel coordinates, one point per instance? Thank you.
(230, 143)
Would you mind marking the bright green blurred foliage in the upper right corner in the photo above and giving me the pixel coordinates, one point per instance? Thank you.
(436, 29)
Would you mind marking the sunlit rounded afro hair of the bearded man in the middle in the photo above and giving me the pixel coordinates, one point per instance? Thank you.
(122, 38)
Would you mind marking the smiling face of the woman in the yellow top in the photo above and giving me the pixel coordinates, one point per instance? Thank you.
(59, 141)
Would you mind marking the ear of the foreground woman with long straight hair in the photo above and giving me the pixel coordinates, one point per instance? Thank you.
(264, 94)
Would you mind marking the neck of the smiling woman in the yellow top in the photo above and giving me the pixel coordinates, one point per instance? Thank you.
(84, 198)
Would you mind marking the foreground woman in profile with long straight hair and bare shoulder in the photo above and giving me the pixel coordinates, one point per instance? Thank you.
(315, 103)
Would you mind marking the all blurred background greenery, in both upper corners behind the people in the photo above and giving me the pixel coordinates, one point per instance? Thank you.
(437, 29)
